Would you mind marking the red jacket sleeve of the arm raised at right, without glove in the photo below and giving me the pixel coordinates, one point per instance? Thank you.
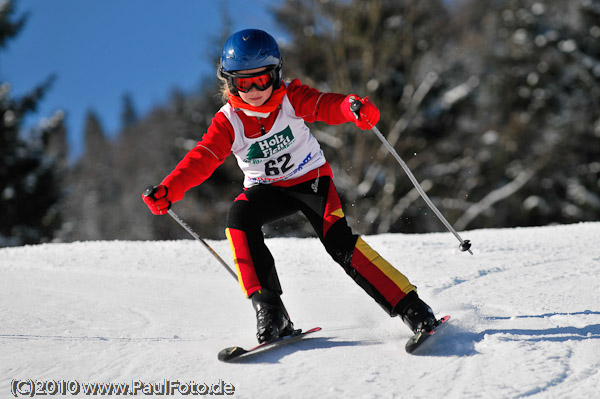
(312, 105)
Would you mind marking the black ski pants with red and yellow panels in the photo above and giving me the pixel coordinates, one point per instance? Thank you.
(319, 201)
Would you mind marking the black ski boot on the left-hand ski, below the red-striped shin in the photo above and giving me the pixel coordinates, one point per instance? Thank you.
(272, 320)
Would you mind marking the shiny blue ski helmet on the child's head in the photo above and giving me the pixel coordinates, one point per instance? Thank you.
(250, 49)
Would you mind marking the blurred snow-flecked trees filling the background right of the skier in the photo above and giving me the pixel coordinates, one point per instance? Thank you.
(493, 105)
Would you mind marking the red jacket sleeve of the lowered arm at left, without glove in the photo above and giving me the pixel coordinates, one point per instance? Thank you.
(201, 161)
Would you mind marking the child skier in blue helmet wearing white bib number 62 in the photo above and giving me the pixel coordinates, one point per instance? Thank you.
(285, 171)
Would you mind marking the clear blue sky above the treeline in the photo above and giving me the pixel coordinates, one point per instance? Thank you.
(102, 49)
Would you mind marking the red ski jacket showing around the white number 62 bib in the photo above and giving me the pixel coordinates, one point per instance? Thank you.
(215, 145)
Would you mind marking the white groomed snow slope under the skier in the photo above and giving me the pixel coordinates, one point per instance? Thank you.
(525, 317)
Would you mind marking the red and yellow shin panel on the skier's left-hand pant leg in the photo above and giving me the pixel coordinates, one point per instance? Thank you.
(243, 261)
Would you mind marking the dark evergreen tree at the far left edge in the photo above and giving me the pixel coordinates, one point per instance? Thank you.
(29, 176)
